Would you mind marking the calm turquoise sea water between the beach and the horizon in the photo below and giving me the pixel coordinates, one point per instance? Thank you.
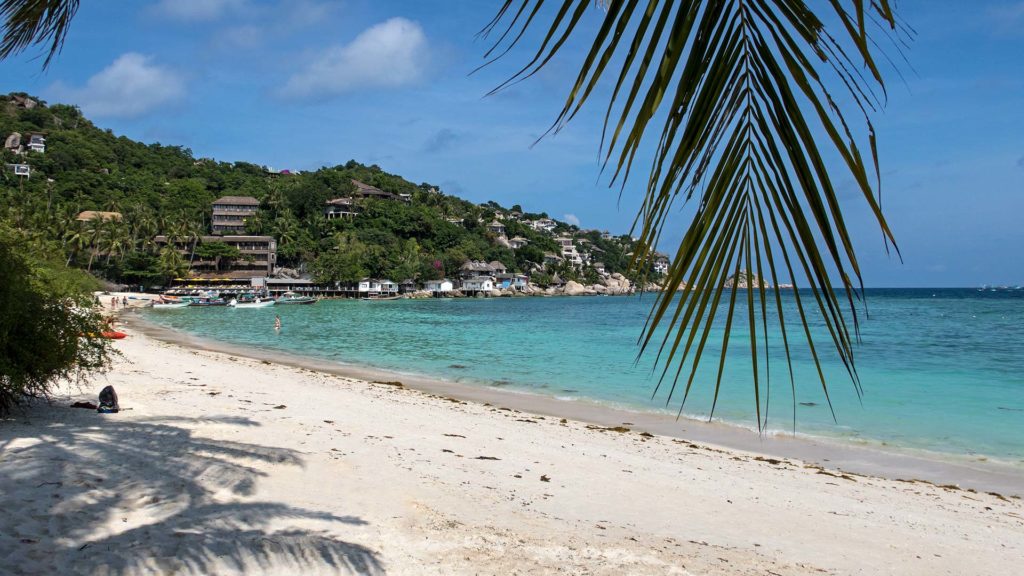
(943, 369)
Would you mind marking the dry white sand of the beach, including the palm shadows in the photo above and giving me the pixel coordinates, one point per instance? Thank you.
(225, 465)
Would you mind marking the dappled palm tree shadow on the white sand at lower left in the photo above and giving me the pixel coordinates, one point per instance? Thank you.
(102, 496)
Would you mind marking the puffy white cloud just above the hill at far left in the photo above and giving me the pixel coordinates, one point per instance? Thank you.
(132, 87)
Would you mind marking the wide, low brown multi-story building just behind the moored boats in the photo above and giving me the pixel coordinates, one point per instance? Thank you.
(260, 257)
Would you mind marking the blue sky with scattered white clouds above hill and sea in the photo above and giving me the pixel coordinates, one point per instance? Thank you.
(304, 84)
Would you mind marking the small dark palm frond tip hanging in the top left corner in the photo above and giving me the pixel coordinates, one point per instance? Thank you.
(29, 23)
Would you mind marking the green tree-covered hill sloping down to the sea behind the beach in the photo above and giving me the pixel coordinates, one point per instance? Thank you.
(164, 190)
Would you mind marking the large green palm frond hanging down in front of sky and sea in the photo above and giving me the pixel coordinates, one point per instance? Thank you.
(743, 93)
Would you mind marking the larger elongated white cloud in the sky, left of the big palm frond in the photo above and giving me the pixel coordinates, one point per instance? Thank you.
(389, 55)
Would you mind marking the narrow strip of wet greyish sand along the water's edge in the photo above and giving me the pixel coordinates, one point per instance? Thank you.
(908, 465)
